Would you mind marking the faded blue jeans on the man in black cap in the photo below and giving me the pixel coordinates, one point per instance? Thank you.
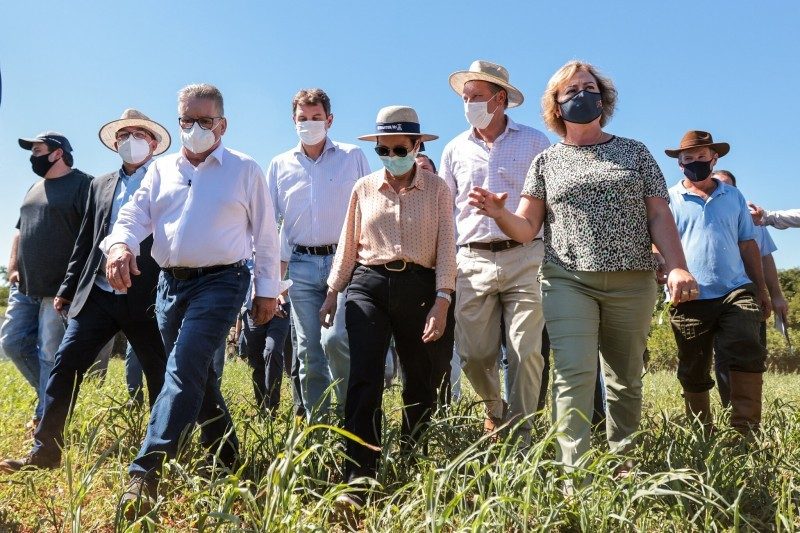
(30, 337)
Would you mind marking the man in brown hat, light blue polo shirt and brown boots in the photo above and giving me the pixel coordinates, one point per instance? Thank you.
(718, 235)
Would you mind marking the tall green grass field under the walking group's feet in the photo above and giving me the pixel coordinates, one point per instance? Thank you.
(292, 473)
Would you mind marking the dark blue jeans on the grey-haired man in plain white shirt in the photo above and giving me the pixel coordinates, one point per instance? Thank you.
(194, 317)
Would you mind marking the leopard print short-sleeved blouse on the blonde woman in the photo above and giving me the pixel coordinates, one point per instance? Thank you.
(596, 217)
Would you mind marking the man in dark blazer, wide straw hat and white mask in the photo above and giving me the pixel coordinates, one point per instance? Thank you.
(96, 311)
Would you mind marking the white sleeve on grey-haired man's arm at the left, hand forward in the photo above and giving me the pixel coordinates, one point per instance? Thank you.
(134, 222)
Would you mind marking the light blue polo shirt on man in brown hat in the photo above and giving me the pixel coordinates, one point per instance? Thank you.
(710, 234)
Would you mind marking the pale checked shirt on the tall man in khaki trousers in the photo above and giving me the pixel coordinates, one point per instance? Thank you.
(467, 161)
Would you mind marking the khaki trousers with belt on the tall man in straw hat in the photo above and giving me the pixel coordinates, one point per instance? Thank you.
(491, 285)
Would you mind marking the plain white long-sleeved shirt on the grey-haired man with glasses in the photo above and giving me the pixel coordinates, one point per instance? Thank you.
(217, 213)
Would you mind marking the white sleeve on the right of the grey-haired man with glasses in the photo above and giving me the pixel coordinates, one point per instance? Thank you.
(267, 269)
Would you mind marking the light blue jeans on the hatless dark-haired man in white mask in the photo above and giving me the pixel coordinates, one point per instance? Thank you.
(322, 353)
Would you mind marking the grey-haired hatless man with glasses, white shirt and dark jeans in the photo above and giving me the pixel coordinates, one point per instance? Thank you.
(208, 209)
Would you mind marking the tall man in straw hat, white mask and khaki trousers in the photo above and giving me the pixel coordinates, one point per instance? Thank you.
(497, 277)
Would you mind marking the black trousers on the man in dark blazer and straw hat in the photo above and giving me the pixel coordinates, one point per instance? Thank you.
(103, 316)
